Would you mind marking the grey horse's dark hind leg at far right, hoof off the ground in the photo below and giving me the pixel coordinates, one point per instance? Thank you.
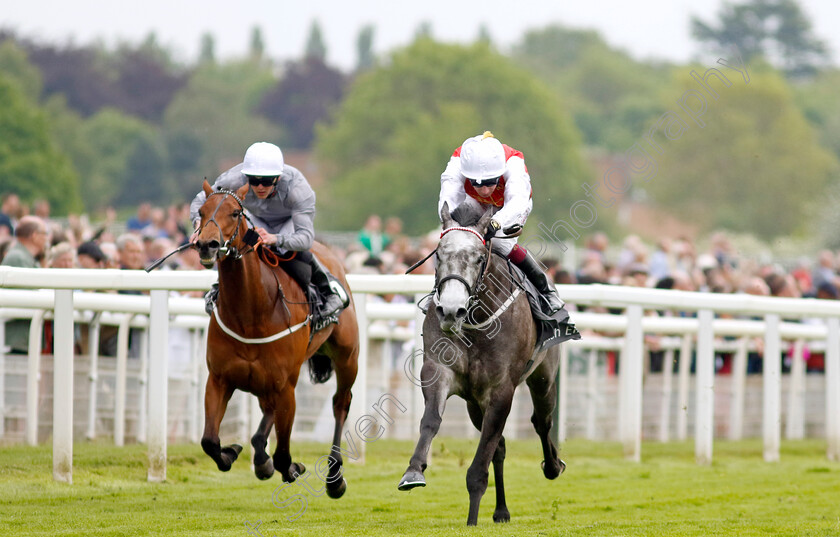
(544, 396)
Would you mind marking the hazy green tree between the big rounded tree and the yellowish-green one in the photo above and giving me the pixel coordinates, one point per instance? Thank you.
(610, 94)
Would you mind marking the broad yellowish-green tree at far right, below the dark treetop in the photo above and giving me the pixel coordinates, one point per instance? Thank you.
(755, 166)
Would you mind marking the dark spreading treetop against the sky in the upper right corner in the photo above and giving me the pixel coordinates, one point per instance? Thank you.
(776, 30)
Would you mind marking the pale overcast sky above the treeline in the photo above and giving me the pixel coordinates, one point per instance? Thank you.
(647, 29)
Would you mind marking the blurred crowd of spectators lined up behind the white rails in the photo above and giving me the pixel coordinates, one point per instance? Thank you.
(30, 237)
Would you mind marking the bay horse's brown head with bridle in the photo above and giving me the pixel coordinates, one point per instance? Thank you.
(223, 224)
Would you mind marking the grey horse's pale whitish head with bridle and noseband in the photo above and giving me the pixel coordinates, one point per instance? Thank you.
(461, 257)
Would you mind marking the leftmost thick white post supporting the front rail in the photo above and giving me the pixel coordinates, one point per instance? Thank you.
(63, 386)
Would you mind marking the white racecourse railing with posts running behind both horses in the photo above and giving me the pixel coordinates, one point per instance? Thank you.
(153, 312)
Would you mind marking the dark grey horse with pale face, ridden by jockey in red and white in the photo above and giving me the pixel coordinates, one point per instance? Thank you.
(479, 343)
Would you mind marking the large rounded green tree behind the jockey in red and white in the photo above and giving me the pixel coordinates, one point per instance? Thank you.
(399, 124)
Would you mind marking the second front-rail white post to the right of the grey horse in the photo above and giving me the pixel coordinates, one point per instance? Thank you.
(704, 423)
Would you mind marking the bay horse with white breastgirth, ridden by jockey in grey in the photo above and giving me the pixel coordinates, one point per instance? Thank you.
(259, 337)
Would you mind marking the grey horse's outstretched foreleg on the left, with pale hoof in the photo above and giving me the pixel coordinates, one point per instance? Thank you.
(434, 395)
